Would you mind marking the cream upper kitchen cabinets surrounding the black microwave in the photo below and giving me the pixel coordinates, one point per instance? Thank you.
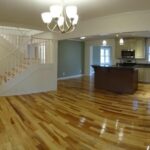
(137, 44)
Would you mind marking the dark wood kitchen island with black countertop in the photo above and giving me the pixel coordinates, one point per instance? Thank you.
(116, 79)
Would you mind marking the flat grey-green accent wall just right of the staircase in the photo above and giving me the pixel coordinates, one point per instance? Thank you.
(70, 58)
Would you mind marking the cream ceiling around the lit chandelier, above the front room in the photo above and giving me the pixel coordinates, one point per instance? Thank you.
(26, 13)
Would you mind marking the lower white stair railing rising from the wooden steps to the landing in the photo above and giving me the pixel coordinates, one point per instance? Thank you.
(18, 60)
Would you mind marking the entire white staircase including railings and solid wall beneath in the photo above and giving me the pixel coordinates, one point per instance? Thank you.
(27, 64)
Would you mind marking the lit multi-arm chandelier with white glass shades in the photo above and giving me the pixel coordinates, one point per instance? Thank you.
(61, 19)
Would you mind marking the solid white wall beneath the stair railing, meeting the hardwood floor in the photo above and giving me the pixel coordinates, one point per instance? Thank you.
(36, 78)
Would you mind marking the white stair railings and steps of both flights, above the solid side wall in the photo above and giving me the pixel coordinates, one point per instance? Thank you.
(22, 51)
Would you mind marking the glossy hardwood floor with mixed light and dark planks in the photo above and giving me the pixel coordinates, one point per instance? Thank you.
(76, 117)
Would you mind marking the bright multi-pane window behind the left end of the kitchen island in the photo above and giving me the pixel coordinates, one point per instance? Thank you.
(105, 56)
